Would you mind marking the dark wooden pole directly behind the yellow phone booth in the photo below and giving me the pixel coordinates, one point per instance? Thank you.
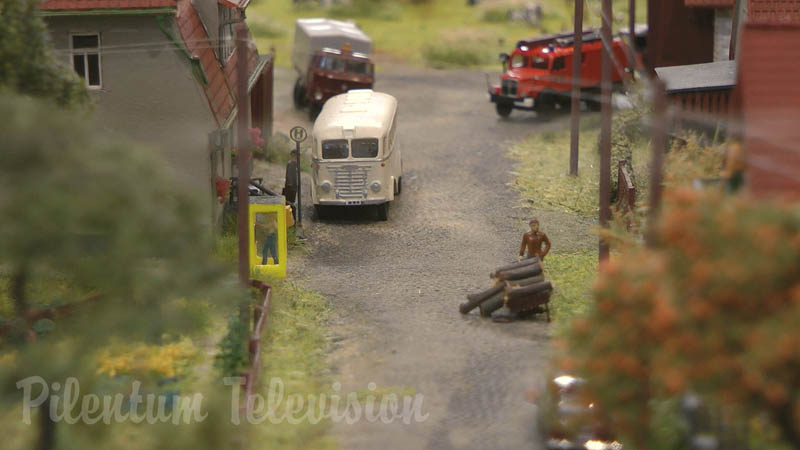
(242, 153)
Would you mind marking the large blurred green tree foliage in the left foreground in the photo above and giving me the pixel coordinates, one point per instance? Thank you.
(129, 255)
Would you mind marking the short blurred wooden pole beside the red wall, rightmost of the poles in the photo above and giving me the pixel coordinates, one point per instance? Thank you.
(659, 147)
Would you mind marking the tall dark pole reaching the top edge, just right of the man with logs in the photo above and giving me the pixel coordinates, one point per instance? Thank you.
(605, 127)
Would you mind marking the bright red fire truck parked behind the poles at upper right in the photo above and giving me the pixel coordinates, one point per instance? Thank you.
(537, 76)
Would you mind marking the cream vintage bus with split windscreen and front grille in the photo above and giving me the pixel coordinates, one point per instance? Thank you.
(356, 155)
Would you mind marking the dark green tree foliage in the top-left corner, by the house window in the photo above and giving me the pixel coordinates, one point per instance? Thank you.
(27, 64)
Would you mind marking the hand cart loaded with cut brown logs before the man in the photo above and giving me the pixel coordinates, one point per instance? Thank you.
(521, 287)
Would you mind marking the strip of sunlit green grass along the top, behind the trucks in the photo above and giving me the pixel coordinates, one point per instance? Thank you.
(402, 30)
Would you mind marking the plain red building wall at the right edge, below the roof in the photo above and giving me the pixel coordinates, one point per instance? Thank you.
(770, 102)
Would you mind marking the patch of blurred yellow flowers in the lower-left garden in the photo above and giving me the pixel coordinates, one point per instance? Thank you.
(154, 360)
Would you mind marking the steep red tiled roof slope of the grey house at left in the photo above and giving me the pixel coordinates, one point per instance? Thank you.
(220, 91)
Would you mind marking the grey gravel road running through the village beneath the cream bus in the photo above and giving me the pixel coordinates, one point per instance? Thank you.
(395, 286)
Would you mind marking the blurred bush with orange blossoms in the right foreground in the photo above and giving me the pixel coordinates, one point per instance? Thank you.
(713, 306)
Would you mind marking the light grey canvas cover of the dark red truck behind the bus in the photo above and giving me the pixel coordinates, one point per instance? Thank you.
(312, 35)
